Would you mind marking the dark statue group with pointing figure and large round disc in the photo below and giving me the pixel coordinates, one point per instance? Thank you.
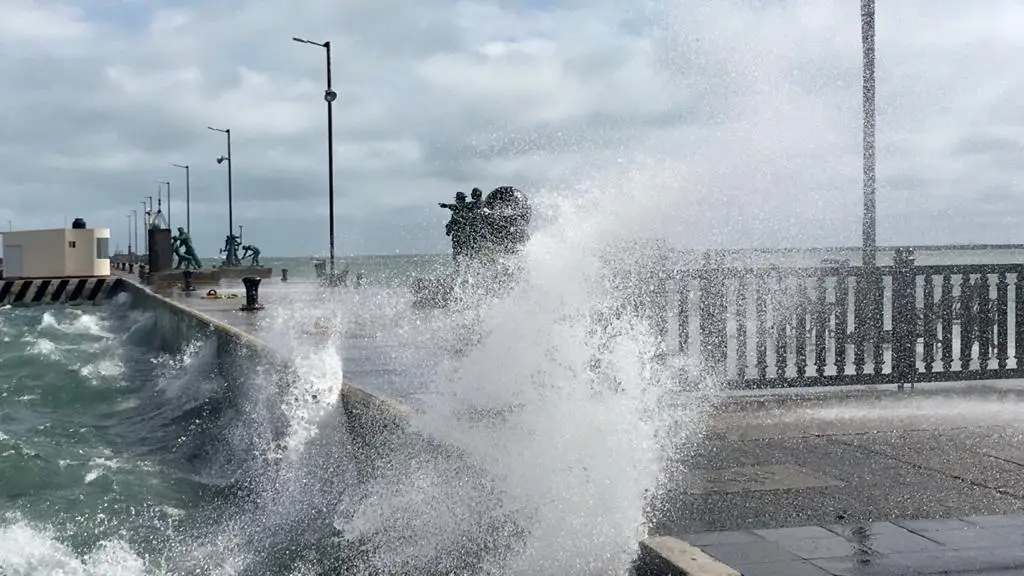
(487, 227)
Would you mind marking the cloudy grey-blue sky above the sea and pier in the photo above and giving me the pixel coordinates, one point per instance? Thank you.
(743, 117)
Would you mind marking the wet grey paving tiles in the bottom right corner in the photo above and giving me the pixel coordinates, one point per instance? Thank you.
(987, 545)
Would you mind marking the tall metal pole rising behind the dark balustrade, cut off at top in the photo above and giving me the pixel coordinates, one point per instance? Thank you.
(868, 47)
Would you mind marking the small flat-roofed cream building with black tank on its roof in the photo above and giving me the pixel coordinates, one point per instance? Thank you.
(74, 253)
